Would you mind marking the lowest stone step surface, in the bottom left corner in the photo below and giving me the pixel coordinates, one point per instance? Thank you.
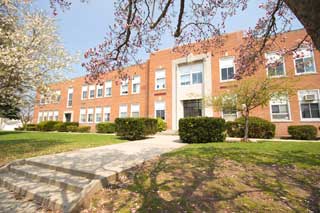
(10, 203)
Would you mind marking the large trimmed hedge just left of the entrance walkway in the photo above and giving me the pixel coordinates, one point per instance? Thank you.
(135, 128)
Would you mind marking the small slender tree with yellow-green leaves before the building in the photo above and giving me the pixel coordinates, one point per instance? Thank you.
(250, 93)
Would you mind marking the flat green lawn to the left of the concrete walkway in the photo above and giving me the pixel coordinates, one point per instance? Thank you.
(17, 145)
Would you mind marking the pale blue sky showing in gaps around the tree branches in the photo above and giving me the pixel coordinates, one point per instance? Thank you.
(85, 24)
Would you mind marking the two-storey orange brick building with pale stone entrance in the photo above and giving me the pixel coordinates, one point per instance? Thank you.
(171, 86)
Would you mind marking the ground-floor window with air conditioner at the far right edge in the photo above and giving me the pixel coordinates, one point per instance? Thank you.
(309, 104)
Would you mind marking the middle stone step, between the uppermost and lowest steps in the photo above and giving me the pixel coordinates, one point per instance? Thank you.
(45, 195)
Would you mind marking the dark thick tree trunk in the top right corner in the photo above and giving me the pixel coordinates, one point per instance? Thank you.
(308, 13)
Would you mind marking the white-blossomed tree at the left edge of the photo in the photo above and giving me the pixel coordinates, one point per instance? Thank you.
(31, 55)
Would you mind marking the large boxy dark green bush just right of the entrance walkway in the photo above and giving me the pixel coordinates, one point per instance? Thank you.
(202, 129)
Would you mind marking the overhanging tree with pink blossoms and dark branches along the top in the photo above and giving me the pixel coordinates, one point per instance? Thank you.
(139, 25)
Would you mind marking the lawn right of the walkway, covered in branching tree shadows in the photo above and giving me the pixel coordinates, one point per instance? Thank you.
(220, 177)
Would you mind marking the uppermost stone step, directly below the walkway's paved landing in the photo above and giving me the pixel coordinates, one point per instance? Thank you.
(61, 179)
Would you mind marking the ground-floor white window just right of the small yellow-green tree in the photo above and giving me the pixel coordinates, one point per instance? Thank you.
(280, 109)
